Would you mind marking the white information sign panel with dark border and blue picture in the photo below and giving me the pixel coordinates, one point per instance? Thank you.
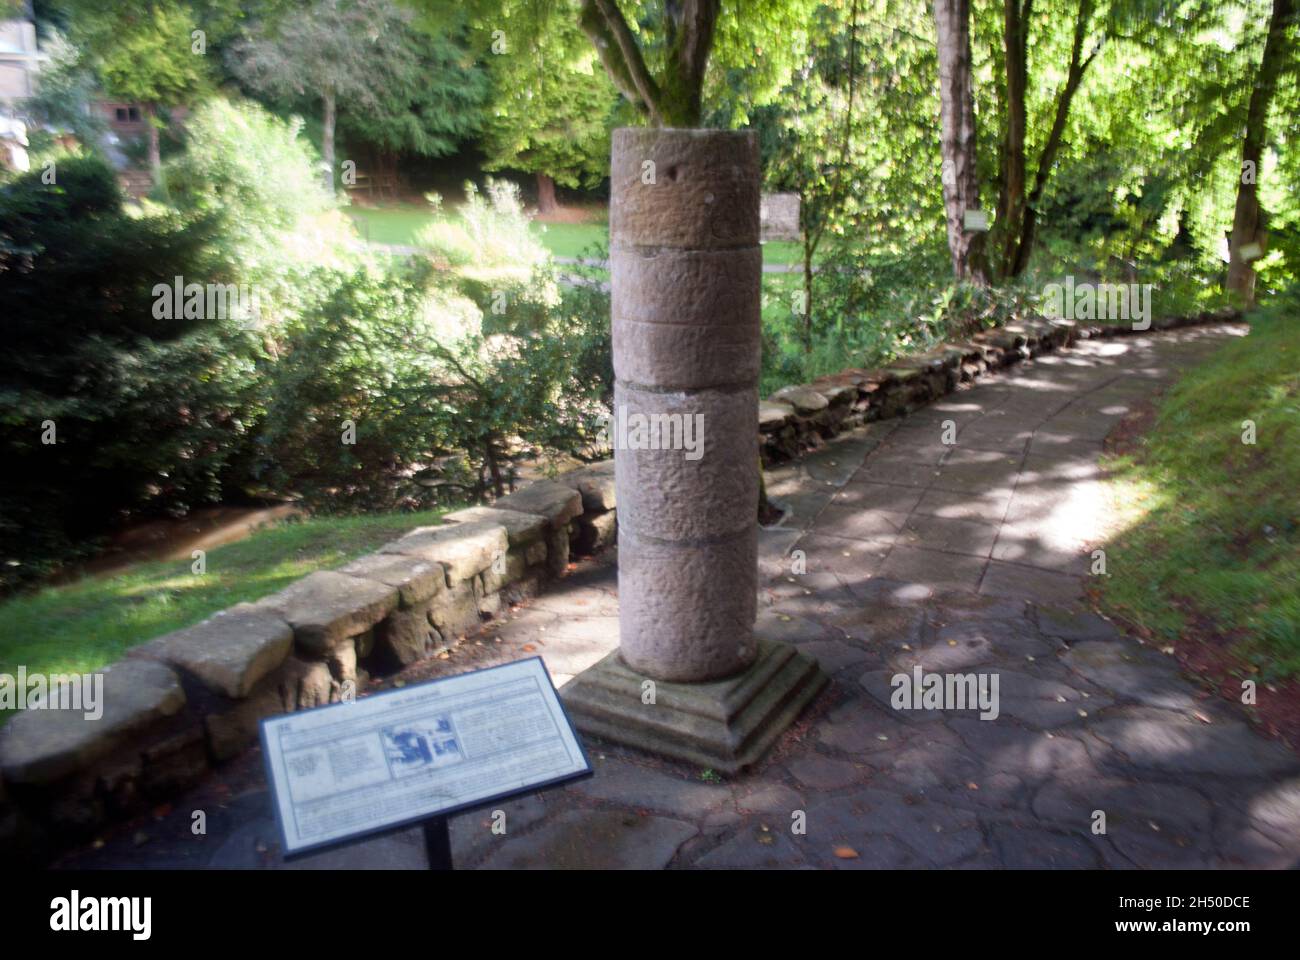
(358, 768)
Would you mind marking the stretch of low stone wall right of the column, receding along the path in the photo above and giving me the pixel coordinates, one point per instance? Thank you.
(796, 420)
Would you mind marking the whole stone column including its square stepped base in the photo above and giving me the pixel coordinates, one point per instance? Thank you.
(690, 680)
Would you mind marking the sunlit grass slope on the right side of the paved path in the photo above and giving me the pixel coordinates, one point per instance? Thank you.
(1212, 539)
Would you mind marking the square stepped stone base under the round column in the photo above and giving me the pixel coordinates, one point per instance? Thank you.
(725, 727)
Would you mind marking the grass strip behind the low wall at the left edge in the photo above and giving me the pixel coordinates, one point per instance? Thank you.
(85, 625)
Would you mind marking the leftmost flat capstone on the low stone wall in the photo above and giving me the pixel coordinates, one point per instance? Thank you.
(45, 746)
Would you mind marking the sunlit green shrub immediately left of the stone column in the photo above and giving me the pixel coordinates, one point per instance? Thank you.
(398, 393)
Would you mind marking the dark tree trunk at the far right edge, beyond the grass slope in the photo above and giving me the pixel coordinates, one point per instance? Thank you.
(1249, 218)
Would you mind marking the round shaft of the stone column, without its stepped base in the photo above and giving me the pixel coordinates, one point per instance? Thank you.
(687, 274)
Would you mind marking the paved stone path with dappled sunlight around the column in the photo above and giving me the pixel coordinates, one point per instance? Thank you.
(965, 557)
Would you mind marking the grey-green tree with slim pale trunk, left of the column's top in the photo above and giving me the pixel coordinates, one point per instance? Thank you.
(344, 54)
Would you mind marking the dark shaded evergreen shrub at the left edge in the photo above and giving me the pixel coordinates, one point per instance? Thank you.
(141, 409)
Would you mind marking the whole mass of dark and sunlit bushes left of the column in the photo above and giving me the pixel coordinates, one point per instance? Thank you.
(353, 383)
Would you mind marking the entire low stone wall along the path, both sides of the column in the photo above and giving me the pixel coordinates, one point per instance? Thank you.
(181, 703)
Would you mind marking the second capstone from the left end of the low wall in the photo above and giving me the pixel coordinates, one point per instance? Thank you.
(229, 652)
